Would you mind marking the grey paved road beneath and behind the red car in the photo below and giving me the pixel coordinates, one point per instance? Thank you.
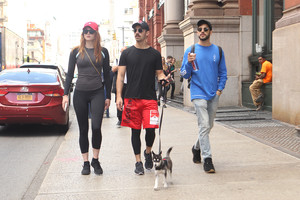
(26, 153)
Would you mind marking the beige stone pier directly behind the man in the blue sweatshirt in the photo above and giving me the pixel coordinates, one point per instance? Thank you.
(226, 33)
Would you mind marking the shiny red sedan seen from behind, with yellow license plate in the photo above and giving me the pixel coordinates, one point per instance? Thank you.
(32, 96)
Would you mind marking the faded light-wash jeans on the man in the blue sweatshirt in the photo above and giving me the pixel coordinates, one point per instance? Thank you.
(206, 112)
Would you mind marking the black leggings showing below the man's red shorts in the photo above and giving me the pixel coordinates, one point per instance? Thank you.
(136, 139)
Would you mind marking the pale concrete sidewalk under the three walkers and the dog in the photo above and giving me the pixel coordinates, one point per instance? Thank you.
(245, 168)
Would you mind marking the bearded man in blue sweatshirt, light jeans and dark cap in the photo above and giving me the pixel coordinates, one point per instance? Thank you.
(208, 73)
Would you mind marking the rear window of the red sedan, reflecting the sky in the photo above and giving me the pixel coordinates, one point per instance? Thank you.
(23, 77)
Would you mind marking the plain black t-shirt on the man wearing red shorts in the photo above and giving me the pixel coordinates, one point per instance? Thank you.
(141, 66)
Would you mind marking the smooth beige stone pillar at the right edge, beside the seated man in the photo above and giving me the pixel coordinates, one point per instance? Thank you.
(285, 83)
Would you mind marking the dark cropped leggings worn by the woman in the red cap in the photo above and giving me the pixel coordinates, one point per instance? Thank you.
(81, 101)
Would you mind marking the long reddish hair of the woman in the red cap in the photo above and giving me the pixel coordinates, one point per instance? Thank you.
(97, 46)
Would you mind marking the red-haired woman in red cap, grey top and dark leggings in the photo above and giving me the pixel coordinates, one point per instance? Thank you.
(92, 62)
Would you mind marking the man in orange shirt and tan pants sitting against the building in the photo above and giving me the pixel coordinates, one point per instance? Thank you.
(265, 76)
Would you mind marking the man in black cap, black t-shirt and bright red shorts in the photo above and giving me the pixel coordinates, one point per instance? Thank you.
(141, 64)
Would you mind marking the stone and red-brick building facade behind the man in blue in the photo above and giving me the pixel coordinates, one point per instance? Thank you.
(244, 29)
